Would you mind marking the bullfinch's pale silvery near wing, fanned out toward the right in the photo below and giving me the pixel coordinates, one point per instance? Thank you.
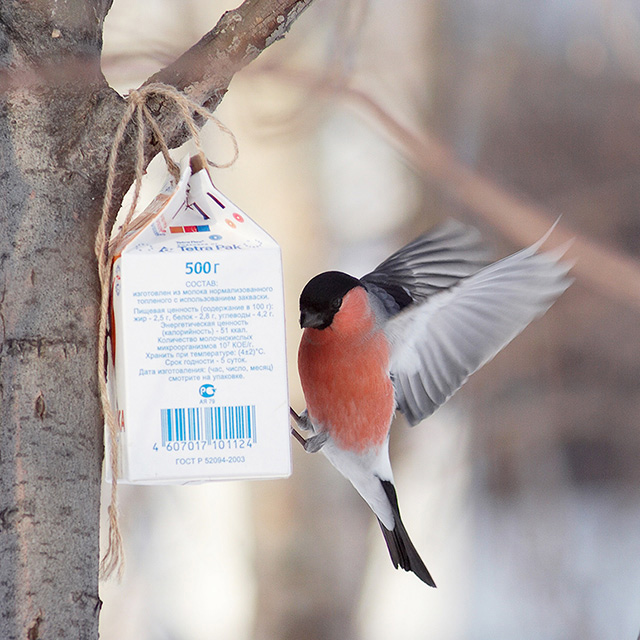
(437, 344)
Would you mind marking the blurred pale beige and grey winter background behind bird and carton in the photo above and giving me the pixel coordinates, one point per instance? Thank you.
(371, 122)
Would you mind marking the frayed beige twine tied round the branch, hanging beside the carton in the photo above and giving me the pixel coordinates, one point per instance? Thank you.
(105, 250)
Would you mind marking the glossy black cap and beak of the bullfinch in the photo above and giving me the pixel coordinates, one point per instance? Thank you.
(322, 296)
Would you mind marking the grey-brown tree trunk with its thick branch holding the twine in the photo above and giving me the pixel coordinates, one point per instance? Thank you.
(57, 120)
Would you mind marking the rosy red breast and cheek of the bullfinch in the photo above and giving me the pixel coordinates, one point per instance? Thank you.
(344, 371)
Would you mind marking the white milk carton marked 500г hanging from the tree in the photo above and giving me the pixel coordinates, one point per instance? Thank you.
(198, 335)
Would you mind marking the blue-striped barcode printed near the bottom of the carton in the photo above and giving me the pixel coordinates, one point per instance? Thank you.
(208, 424)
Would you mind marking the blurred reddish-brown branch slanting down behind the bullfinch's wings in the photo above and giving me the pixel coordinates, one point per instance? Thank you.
(608, 271)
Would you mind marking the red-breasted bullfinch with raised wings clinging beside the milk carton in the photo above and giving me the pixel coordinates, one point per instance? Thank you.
(405, 337)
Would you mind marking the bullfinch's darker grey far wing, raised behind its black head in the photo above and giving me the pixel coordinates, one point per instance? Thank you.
(431, 263)
